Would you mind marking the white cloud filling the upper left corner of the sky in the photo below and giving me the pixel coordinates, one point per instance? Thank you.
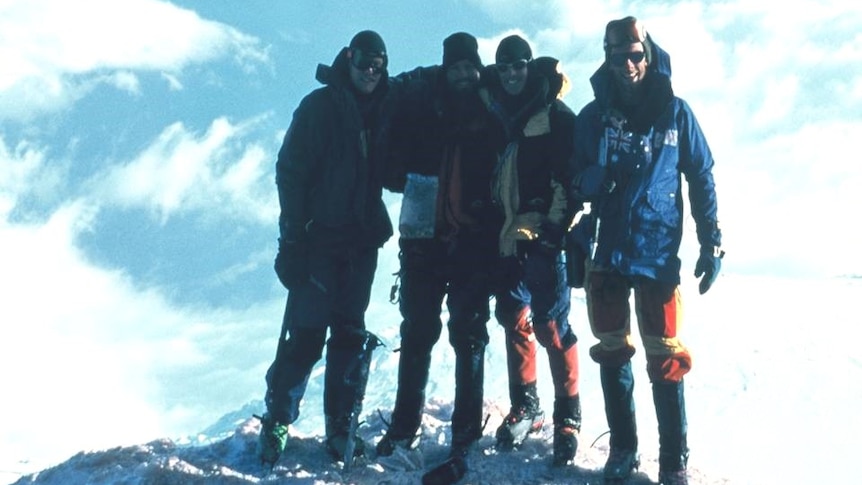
(52, 48)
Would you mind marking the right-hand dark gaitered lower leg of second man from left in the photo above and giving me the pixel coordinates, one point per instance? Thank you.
(469, 396)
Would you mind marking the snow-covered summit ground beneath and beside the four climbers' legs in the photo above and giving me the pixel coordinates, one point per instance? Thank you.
(776, 381)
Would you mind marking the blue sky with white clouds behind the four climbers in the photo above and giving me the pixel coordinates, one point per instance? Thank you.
(138, 207)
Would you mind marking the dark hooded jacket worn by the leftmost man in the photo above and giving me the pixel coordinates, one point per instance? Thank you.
(329, 171)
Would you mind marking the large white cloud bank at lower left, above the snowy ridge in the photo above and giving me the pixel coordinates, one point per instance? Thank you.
(87, 346)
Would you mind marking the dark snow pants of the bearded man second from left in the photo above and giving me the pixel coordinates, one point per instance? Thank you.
(431, 271)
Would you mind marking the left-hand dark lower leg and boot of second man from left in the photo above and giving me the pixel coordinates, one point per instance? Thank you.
(413, 368)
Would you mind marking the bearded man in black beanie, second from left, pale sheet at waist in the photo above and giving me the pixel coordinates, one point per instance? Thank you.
(443, 158)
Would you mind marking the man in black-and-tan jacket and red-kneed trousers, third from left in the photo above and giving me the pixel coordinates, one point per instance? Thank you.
(529, 187)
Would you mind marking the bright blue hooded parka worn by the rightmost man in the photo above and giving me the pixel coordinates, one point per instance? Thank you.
(637, 213)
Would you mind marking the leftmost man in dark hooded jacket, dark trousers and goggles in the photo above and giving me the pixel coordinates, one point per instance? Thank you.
(329, 176)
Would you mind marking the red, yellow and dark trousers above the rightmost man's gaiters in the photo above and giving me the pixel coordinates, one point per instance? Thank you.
(659, 313)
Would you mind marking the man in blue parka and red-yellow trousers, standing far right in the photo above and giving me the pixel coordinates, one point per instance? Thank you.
(634, 143)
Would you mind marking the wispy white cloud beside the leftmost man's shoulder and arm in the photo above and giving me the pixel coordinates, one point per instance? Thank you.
(186, 171)
